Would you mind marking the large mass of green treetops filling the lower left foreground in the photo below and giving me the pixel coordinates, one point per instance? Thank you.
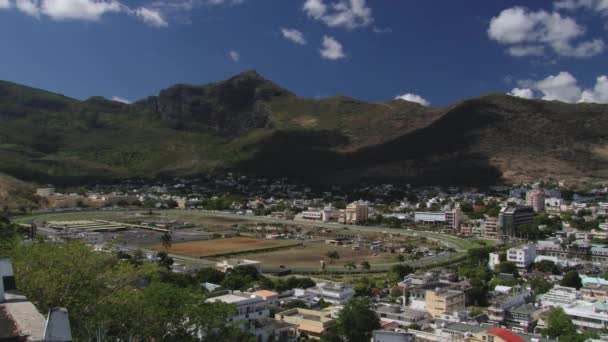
(101, 292)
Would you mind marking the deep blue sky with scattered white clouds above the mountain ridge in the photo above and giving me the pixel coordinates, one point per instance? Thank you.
(433, 52)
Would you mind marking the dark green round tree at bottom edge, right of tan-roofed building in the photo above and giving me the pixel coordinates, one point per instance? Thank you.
(357, 321)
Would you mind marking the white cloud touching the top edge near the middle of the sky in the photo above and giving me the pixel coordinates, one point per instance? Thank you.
(348, 14)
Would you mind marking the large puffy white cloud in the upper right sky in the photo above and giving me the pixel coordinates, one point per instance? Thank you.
(529, 31)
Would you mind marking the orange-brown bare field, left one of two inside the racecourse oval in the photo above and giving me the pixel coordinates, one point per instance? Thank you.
(210, 248)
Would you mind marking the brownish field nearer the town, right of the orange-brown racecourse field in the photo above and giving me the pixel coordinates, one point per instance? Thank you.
(310, 255)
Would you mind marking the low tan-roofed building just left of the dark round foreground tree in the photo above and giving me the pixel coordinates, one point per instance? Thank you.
(310, 323)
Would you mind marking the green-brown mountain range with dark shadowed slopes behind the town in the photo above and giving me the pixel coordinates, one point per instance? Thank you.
(251, 125)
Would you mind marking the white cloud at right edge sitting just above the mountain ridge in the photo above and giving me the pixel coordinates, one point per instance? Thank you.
(563, 87)
